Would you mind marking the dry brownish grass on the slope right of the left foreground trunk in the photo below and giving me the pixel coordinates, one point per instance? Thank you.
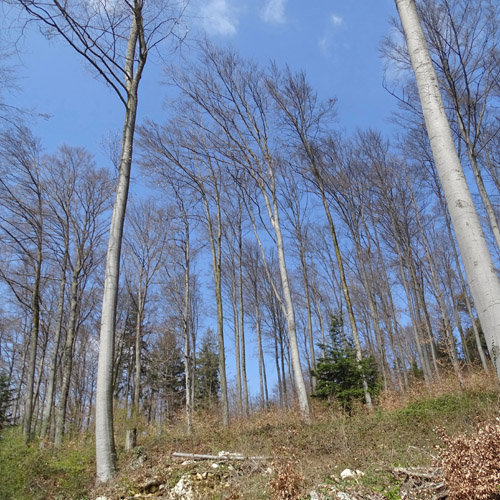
(401, 432)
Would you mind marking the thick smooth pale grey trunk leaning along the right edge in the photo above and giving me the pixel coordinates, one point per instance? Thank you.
(481, 274)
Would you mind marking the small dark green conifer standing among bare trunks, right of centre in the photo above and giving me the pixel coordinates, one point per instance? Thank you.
(339, 375)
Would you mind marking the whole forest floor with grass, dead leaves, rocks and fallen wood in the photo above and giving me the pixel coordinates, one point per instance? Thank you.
(395, 449)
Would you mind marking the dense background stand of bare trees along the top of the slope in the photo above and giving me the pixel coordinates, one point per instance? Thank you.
(271, 225)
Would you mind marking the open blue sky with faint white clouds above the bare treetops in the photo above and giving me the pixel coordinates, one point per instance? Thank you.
(335, 41)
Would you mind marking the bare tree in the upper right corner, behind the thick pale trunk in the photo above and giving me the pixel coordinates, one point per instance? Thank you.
(463, 38)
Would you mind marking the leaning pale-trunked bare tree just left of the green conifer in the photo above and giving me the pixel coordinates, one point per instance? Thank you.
(231, 92)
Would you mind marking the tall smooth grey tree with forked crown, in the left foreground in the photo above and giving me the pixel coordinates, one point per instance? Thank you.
(115, 39)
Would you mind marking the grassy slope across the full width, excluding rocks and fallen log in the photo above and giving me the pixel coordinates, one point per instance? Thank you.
(399, 433)
